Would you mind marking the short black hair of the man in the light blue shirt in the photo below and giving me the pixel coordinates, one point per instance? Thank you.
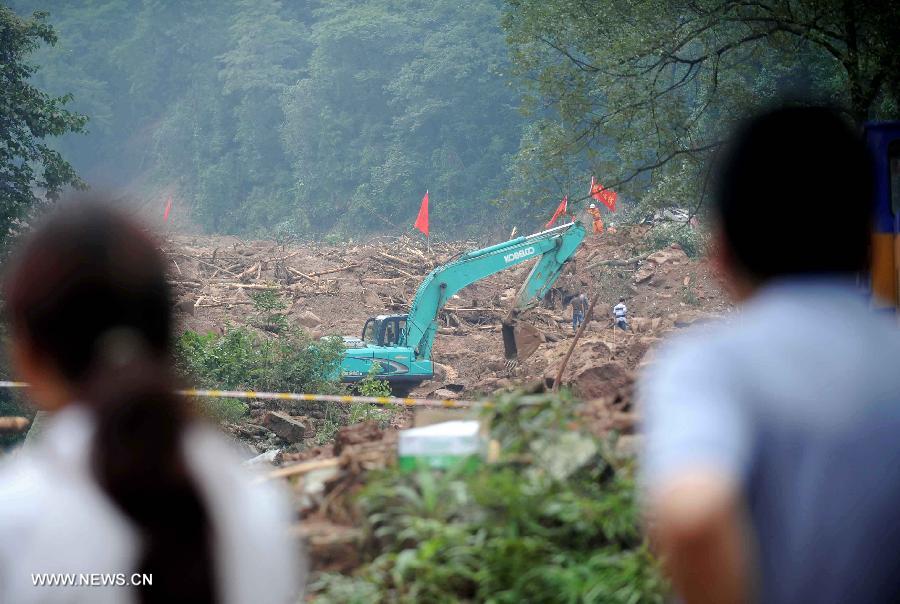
(794, 194)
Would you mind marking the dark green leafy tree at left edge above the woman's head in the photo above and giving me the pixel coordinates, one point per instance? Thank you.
(28, 116)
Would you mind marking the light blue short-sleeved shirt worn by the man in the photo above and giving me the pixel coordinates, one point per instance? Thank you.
(798, 399)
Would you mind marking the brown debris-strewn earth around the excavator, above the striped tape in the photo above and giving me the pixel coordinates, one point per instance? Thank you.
(333, 289)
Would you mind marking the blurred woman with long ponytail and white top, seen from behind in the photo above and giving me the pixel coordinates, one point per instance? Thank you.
(124, 480)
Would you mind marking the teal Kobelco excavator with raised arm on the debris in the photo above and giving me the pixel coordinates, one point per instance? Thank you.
(399, 346)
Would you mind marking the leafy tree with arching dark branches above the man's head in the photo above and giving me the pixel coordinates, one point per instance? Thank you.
(641, 91)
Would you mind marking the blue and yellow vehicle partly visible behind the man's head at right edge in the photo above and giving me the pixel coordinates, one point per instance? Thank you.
(883, 140)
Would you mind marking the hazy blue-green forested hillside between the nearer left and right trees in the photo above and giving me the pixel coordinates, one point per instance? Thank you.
(314, 116)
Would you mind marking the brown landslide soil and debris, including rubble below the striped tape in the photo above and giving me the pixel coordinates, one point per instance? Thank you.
(325, 454)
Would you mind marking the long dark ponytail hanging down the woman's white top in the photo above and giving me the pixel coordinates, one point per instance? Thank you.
(138, 460)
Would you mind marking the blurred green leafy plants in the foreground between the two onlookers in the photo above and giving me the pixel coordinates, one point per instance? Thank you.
(553, 520)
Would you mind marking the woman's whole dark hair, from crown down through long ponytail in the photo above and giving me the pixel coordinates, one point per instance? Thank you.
(88, 294)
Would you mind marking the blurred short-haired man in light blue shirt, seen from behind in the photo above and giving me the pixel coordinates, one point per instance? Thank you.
(770, 463)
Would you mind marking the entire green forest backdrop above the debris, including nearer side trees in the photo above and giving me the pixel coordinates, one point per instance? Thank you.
(333, 118)
